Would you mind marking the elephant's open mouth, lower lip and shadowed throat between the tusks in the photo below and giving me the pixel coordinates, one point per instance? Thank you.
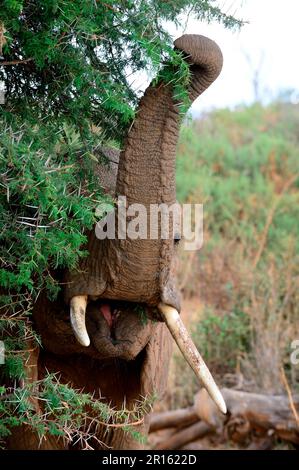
(118, 362)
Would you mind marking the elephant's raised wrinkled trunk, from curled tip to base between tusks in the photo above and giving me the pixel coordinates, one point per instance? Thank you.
(146, 173)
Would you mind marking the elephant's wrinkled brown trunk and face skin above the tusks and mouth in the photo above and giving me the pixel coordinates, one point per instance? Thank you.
(139, 270)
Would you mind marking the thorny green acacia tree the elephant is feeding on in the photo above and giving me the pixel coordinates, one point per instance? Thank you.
(68, 69)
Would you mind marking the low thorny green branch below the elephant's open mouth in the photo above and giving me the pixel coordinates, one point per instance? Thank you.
(64, 411)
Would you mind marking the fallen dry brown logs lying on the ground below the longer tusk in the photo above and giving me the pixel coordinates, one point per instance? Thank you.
(253, 420)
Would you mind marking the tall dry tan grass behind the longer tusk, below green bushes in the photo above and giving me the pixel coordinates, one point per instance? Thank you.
(224, 280)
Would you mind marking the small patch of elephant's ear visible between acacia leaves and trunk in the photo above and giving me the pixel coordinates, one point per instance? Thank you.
(106, 170)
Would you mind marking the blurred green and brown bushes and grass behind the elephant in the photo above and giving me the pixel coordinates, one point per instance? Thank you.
(243, 166)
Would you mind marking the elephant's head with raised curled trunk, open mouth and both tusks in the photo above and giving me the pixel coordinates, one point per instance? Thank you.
(123, 270)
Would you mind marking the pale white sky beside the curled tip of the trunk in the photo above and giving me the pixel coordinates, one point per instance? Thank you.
(267, 46)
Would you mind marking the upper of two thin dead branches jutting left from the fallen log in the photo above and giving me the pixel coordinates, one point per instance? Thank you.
(173, 418)
